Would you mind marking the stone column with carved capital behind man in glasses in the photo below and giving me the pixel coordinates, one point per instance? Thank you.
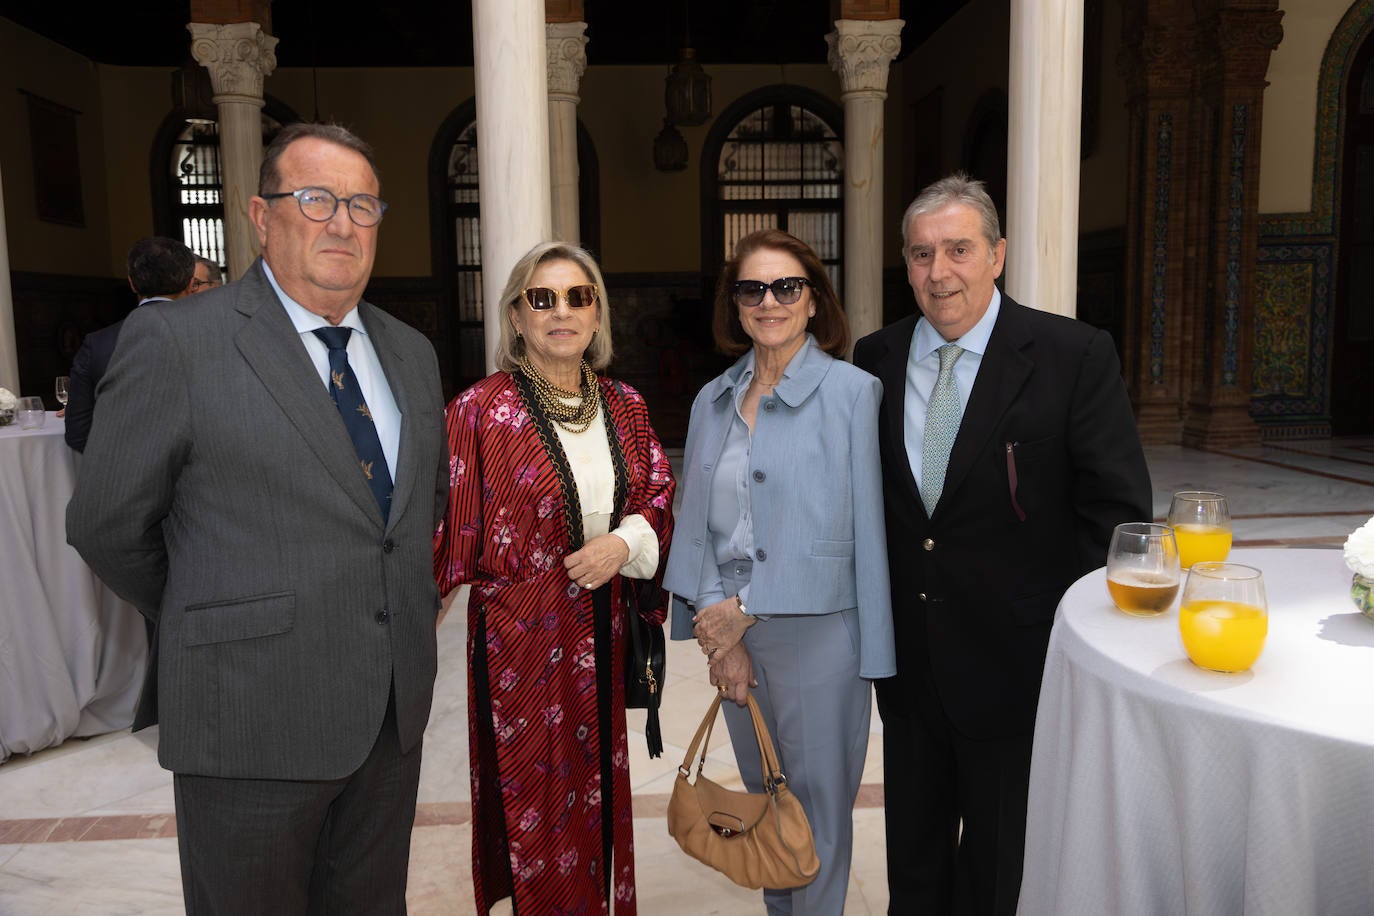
(238, 57)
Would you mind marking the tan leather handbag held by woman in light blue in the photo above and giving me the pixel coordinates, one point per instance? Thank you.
(755, 840)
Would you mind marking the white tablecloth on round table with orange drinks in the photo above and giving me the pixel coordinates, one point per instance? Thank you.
(1159, 788)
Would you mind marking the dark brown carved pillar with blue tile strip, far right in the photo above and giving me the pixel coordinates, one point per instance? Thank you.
(1236, 42)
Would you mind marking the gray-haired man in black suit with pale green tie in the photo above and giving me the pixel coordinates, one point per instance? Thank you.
(1028, 420)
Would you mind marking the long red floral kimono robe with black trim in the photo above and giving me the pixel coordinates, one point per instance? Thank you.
(535, 712)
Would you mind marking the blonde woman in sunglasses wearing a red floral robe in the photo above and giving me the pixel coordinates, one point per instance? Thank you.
(560, 490)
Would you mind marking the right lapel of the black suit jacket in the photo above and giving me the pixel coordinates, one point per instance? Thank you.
(1001, 378)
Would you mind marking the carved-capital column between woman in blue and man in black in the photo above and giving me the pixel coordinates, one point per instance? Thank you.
(861, 51)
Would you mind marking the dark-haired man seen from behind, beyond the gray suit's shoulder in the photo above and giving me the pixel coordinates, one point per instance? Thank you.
(159, 270)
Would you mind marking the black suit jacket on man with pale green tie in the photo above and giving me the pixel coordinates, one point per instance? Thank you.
(1046, 463)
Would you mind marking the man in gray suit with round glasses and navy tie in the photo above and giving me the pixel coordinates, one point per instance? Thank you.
(240, 492)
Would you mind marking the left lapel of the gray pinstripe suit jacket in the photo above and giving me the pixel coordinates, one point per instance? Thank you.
(273, 348)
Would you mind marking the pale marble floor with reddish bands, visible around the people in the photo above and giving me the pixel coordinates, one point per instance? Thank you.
(87, 829)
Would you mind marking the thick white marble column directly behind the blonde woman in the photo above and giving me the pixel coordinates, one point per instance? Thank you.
(509, 58)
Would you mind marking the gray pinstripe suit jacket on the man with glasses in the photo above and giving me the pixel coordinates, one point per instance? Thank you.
(222, 496)
